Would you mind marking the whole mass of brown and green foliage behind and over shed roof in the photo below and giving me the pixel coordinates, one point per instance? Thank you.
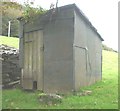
(12, 10)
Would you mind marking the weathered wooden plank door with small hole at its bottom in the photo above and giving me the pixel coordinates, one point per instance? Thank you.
(33, 60)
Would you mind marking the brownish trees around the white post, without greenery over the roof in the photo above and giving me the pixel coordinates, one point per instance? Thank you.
(10, 11)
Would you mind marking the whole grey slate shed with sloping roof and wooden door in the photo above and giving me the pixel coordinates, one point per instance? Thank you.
(60, 51)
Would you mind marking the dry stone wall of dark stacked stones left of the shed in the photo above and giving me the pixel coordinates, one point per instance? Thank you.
(10, 64)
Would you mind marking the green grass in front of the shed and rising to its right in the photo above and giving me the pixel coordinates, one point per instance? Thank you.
(104, 93)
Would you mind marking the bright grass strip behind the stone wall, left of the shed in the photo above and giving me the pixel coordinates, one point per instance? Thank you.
(10, 41)
